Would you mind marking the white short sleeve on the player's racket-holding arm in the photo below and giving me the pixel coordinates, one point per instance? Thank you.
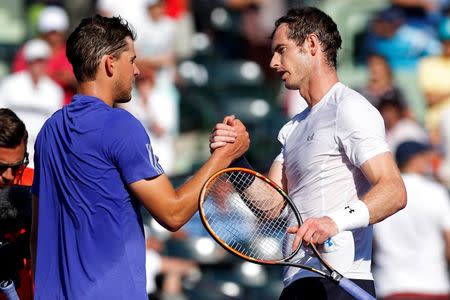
(360, 130)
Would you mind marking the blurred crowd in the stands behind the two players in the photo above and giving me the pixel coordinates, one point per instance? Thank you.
(202, 59)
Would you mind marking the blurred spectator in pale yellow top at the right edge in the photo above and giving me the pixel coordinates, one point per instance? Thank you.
(434, 81)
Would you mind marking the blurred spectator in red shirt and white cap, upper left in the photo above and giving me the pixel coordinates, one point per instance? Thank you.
(53, 24)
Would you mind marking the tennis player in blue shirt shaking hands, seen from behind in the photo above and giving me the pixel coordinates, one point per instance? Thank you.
(94, 167)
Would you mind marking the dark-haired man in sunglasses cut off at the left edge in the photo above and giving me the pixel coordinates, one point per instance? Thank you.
(14, 232)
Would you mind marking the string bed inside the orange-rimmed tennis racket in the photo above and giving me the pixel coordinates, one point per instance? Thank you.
(248, 215)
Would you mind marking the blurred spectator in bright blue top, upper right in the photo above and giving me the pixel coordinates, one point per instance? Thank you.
(401, 44)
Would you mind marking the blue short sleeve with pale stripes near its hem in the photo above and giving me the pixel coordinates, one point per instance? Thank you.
(128, 146)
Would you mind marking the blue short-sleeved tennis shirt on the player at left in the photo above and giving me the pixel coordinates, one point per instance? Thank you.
(90, 235)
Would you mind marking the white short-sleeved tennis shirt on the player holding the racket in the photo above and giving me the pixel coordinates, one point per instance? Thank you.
(322, 150)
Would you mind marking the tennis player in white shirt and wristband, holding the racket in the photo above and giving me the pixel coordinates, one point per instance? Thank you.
(334, 162)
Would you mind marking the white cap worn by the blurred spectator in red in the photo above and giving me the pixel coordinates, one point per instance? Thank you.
(53, 18)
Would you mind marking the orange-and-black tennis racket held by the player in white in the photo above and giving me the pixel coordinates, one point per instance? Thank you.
(248, 215)
